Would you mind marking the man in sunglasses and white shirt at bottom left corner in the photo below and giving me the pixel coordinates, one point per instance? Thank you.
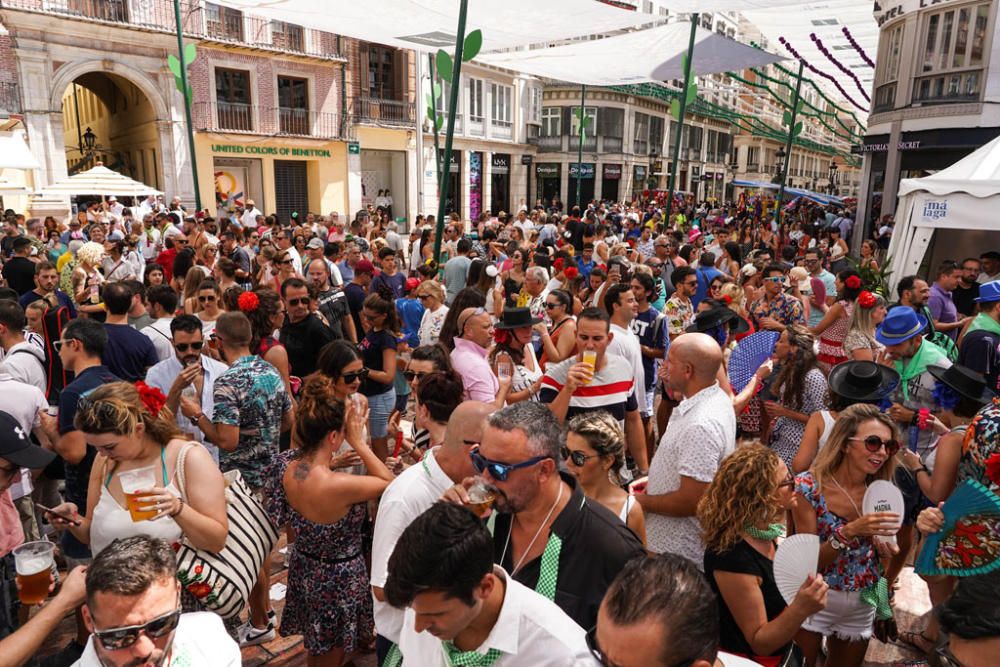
(133, 610)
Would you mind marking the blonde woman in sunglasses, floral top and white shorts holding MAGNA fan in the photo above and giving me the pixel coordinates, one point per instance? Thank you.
(860, 450)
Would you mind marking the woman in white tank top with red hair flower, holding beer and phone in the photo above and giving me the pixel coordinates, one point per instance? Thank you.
(135, 435)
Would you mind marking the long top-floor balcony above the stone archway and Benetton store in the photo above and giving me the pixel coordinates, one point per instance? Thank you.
(201, 21)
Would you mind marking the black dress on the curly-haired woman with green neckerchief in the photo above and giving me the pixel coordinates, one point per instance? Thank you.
(743, 559)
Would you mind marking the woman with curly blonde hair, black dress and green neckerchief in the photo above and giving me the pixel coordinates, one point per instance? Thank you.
(741, 515)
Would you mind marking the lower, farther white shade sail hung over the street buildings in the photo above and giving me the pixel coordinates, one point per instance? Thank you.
(655, 54)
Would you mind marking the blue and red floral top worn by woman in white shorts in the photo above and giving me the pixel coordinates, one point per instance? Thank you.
(855, 568)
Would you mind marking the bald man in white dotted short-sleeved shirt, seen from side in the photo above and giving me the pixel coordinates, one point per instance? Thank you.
(701, 432)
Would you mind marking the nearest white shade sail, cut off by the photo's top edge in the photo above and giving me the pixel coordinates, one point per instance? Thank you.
(427, 25)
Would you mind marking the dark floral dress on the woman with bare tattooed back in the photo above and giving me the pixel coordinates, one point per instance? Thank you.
(328, 600)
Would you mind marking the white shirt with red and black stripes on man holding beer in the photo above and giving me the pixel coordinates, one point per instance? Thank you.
(612, 389)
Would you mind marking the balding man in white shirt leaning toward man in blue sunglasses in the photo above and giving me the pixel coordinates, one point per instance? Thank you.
(416, 489)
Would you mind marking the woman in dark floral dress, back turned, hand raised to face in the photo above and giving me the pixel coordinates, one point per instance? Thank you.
(328, 600)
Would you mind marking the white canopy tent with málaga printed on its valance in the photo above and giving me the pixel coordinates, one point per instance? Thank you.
(964, 196)
